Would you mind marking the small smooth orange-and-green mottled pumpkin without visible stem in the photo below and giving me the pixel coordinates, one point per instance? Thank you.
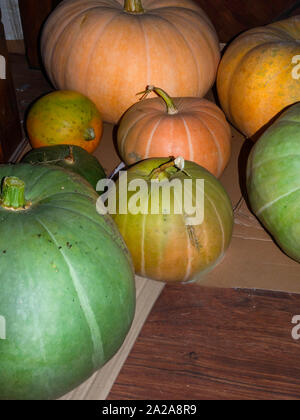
(64, 117)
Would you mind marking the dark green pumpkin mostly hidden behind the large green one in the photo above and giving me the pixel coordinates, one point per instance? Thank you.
(72, 158)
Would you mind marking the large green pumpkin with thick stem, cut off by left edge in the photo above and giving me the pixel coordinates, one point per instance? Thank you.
(67, 293)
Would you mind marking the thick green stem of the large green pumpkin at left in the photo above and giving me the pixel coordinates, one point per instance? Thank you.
(13, 194)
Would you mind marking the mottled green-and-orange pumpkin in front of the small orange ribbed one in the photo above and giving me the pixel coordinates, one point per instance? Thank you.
(169, 243)
